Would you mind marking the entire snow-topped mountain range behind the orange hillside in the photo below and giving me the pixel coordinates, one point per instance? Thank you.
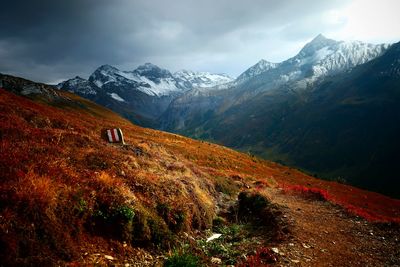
(331, 110)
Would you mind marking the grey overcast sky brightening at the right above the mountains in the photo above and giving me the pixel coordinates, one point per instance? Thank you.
(50, 40)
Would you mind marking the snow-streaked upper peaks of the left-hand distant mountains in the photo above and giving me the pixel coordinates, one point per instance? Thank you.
(148, 78)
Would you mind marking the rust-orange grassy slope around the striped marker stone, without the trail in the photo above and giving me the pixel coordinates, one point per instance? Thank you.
(65, 191)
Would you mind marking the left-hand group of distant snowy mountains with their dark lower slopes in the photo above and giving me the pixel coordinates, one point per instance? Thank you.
(143, 94)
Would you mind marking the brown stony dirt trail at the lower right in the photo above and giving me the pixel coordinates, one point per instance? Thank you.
(324, 235)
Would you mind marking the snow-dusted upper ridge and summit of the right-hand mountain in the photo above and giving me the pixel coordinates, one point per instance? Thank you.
(319, 58)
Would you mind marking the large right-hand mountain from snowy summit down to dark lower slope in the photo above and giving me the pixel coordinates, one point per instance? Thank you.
(342, 126)
